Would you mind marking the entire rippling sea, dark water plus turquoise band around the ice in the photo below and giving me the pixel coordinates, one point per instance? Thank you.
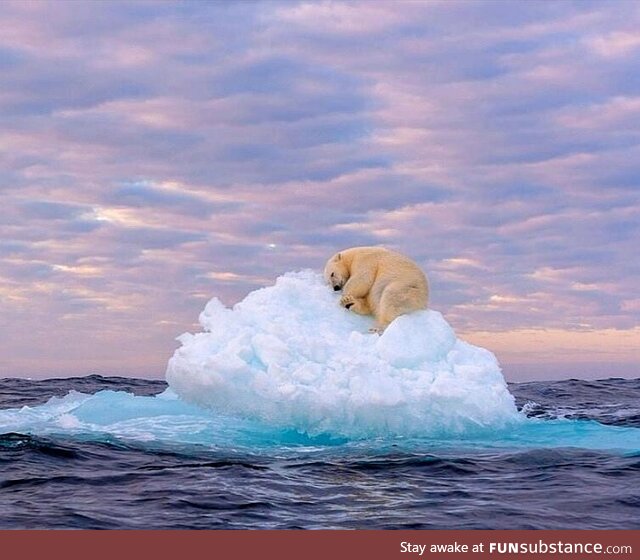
(143, 463)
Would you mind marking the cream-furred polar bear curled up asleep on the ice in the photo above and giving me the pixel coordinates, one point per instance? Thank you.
(379, 282)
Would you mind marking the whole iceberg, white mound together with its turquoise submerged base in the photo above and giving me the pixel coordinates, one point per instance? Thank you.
(288, 371)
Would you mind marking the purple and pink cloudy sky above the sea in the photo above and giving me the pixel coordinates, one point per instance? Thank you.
(156, 154)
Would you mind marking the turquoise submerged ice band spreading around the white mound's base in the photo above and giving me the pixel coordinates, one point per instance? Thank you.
(166, 422)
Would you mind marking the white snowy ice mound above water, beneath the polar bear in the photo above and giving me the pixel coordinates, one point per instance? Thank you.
(290, 356)
